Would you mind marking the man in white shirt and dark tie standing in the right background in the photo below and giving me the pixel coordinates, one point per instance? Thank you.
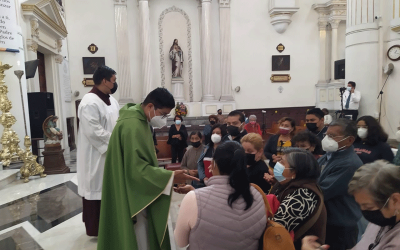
(351, 101)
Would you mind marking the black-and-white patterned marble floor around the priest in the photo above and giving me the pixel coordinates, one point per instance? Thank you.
(46, 213)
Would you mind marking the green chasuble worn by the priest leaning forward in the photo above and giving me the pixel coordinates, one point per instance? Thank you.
(133, 182)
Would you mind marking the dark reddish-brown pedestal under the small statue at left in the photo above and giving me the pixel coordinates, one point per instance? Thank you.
(54, 162)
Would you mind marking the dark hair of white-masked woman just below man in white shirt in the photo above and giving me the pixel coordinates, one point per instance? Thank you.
(376, 133)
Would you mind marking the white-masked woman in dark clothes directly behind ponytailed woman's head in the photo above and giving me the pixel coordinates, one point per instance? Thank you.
(218, 131)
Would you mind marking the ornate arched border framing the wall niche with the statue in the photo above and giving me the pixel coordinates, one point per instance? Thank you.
(189, 45)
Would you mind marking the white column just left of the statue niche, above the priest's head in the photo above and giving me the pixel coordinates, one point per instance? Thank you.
(145, 47)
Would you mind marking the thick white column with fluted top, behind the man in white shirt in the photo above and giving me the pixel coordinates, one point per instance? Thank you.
(362, 54)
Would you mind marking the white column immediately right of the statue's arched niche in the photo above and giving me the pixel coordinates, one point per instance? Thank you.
(208, 87)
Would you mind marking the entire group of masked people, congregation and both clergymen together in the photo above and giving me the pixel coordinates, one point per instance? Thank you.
(335, 183)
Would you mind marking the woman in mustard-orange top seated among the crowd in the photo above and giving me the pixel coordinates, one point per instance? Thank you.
(276, 143)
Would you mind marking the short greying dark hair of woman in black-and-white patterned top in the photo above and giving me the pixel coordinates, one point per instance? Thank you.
(303, 163)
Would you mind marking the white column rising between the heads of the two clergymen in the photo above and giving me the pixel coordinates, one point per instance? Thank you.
(123, 55)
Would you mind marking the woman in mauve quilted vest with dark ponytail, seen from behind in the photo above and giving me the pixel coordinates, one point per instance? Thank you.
(228, 213)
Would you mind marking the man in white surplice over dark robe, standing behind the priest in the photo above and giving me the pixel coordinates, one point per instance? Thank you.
(98, 113)
